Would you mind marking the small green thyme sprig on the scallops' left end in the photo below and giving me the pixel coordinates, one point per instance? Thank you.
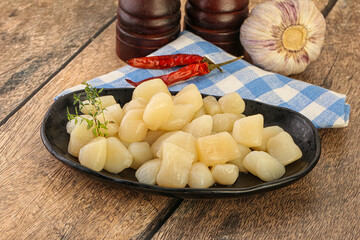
(93, 106)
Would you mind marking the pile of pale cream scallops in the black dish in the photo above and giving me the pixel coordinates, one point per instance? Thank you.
(183, 140)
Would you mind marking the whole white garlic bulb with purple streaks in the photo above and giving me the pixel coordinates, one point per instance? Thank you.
(283, 36)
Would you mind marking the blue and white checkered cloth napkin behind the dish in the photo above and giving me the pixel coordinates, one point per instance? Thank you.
(325, 108)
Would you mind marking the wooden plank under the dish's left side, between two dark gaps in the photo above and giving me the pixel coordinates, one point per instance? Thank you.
(41, 198)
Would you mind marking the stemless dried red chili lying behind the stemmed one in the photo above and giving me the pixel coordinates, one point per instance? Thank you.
(166, 61)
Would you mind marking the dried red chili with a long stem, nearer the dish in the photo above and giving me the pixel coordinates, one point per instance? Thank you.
(185, 73)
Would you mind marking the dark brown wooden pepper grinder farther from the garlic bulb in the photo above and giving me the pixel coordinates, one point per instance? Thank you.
(144, 26)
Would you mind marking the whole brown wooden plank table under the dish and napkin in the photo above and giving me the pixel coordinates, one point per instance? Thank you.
(47, 46)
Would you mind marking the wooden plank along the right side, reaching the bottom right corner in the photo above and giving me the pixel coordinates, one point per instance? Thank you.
(323, 205)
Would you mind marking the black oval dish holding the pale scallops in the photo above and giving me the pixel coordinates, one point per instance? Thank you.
(305, 135)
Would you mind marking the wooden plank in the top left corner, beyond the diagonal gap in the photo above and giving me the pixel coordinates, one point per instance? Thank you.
(38, 37)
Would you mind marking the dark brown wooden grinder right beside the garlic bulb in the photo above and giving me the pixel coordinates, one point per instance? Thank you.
(218, 21)
